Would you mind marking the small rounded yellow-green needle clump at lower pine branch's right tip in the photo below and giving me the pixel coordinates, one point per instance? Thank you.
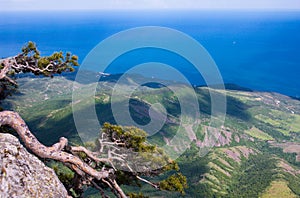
(176, 182)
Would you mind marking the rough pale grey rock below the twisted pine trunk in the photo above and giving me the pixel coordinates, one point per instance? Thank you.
(24, 175)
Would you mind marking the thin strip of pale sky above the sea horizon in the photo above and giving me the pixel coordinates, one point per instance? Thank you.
(148, 4)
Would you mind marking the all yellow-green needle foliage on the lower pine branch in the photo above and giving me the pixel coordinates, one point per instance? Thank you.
(134, 138)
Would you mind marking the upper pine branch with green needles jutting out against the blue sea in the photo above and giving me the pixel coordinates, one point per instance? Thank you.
(30, 61)
